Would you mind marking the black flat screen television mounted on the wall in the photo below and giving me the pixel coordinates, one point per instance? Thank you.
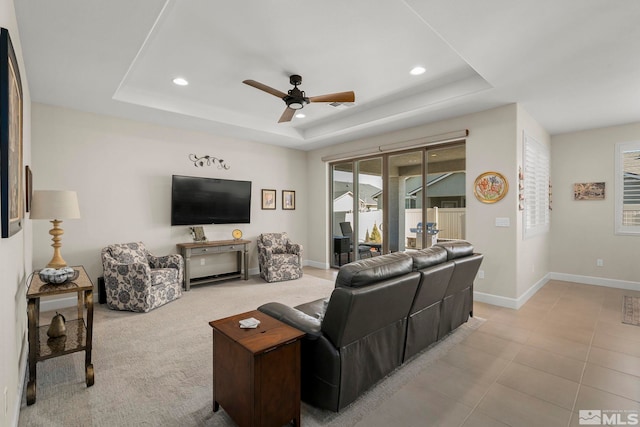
(197, 201)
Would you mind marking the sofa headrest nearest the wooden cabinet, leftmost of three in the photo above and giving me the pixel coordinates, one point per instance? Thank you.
(372, 270)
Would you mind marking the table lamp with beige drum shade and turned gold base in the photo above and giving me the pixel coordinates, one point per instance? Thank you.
(55, 205)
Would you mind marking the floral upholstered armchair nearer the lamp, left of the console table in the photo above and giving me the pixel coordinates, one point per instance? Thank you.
(135, 280)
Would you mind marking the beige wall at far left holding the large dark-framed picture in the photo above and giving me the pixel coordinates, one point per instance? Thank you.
(15, 265)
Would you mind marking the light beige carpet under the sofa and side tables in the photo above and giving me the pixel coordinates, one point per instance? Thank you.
(155, 369)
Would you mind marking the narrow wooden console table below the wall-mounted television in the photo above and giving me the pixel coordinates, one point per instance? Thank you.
(215, 248)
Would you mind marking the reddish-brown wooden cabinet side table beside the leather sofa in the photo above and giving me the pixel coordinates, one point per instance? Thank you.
(256, 372)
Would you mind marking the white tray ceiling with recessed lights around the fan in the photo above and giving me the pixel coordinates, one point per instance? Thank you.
(572, 64)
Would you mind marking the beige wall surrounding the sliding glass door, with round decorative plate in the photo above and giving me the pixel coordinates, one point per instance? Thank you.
(492, 145)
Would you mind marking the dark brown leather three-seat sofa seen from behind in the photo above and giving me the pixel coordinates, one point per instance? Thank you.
(382, 312)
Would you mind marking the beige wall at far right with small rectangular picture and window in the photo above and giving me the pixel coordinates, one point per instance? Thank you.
(583, 231)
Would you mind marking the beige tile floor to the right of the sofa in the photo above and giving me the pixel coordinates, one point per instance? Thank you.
(565, 350)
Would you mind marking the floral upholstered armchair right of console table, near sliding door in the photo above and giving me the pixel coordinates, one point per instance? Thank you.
(279, 258)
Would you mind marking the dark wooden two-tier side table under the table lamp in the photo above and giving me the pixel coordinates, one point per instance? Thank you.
(79, 334)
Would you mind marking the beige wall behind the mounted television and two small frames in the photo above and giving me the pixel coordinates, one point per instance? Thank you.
(122, 171)
